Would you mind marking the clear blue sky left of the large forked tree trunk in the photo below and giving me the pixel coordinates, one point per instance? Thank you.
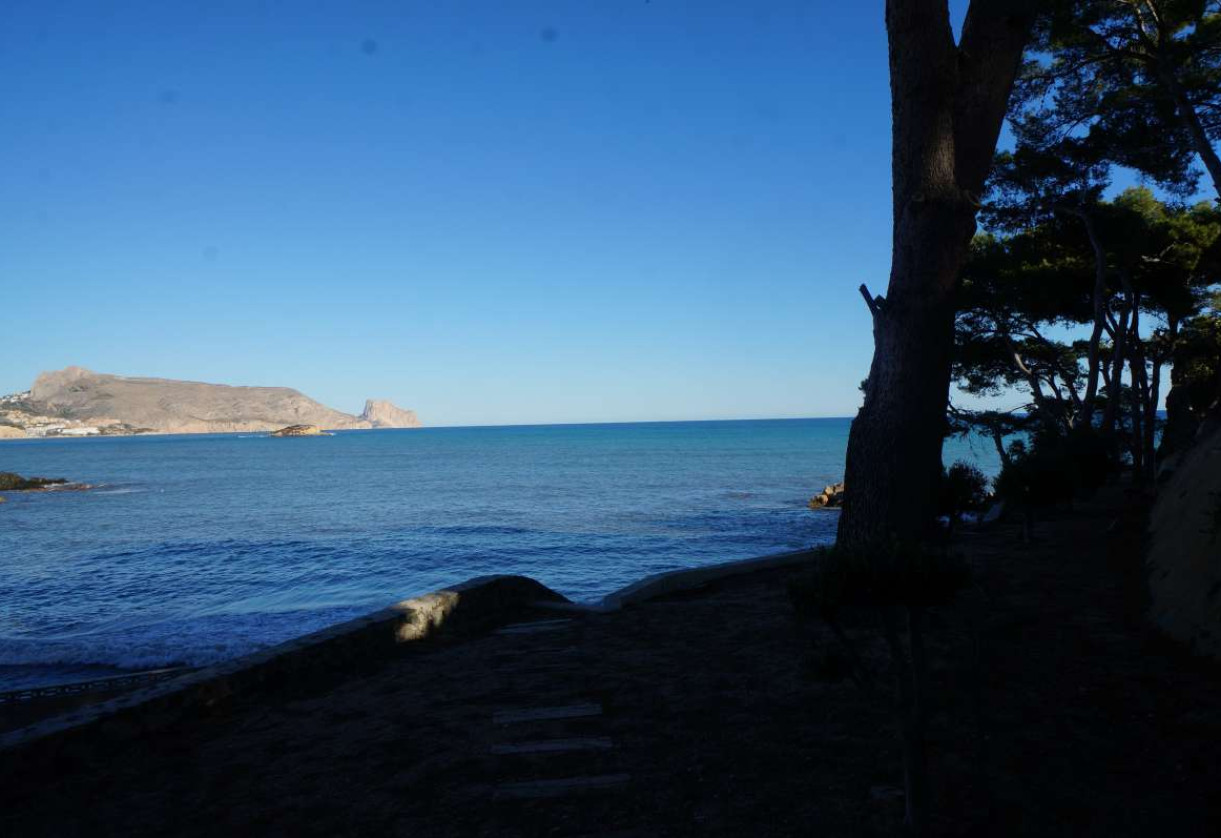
(490, 212)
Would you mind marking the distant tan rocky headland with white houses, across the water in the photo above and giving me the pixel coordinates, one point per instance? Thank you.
(79, 403)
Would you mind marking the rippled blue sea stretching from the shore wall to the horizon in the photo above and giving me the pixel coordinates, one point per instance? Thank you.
(196, 549)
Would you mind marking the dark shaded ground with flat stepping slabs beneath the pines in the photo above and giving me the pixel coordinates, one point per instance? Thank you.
(710, 714)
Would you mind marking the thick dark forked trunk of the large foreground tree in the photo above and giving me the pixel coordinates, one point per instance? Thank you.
(948, 103)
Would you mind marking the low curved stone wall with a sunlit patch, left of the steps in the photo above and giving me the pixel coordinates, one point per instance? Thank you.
(473, 607)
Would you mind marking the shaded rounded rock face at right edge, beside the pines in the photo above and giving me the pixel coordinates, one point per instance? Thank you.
(1185, 549)
